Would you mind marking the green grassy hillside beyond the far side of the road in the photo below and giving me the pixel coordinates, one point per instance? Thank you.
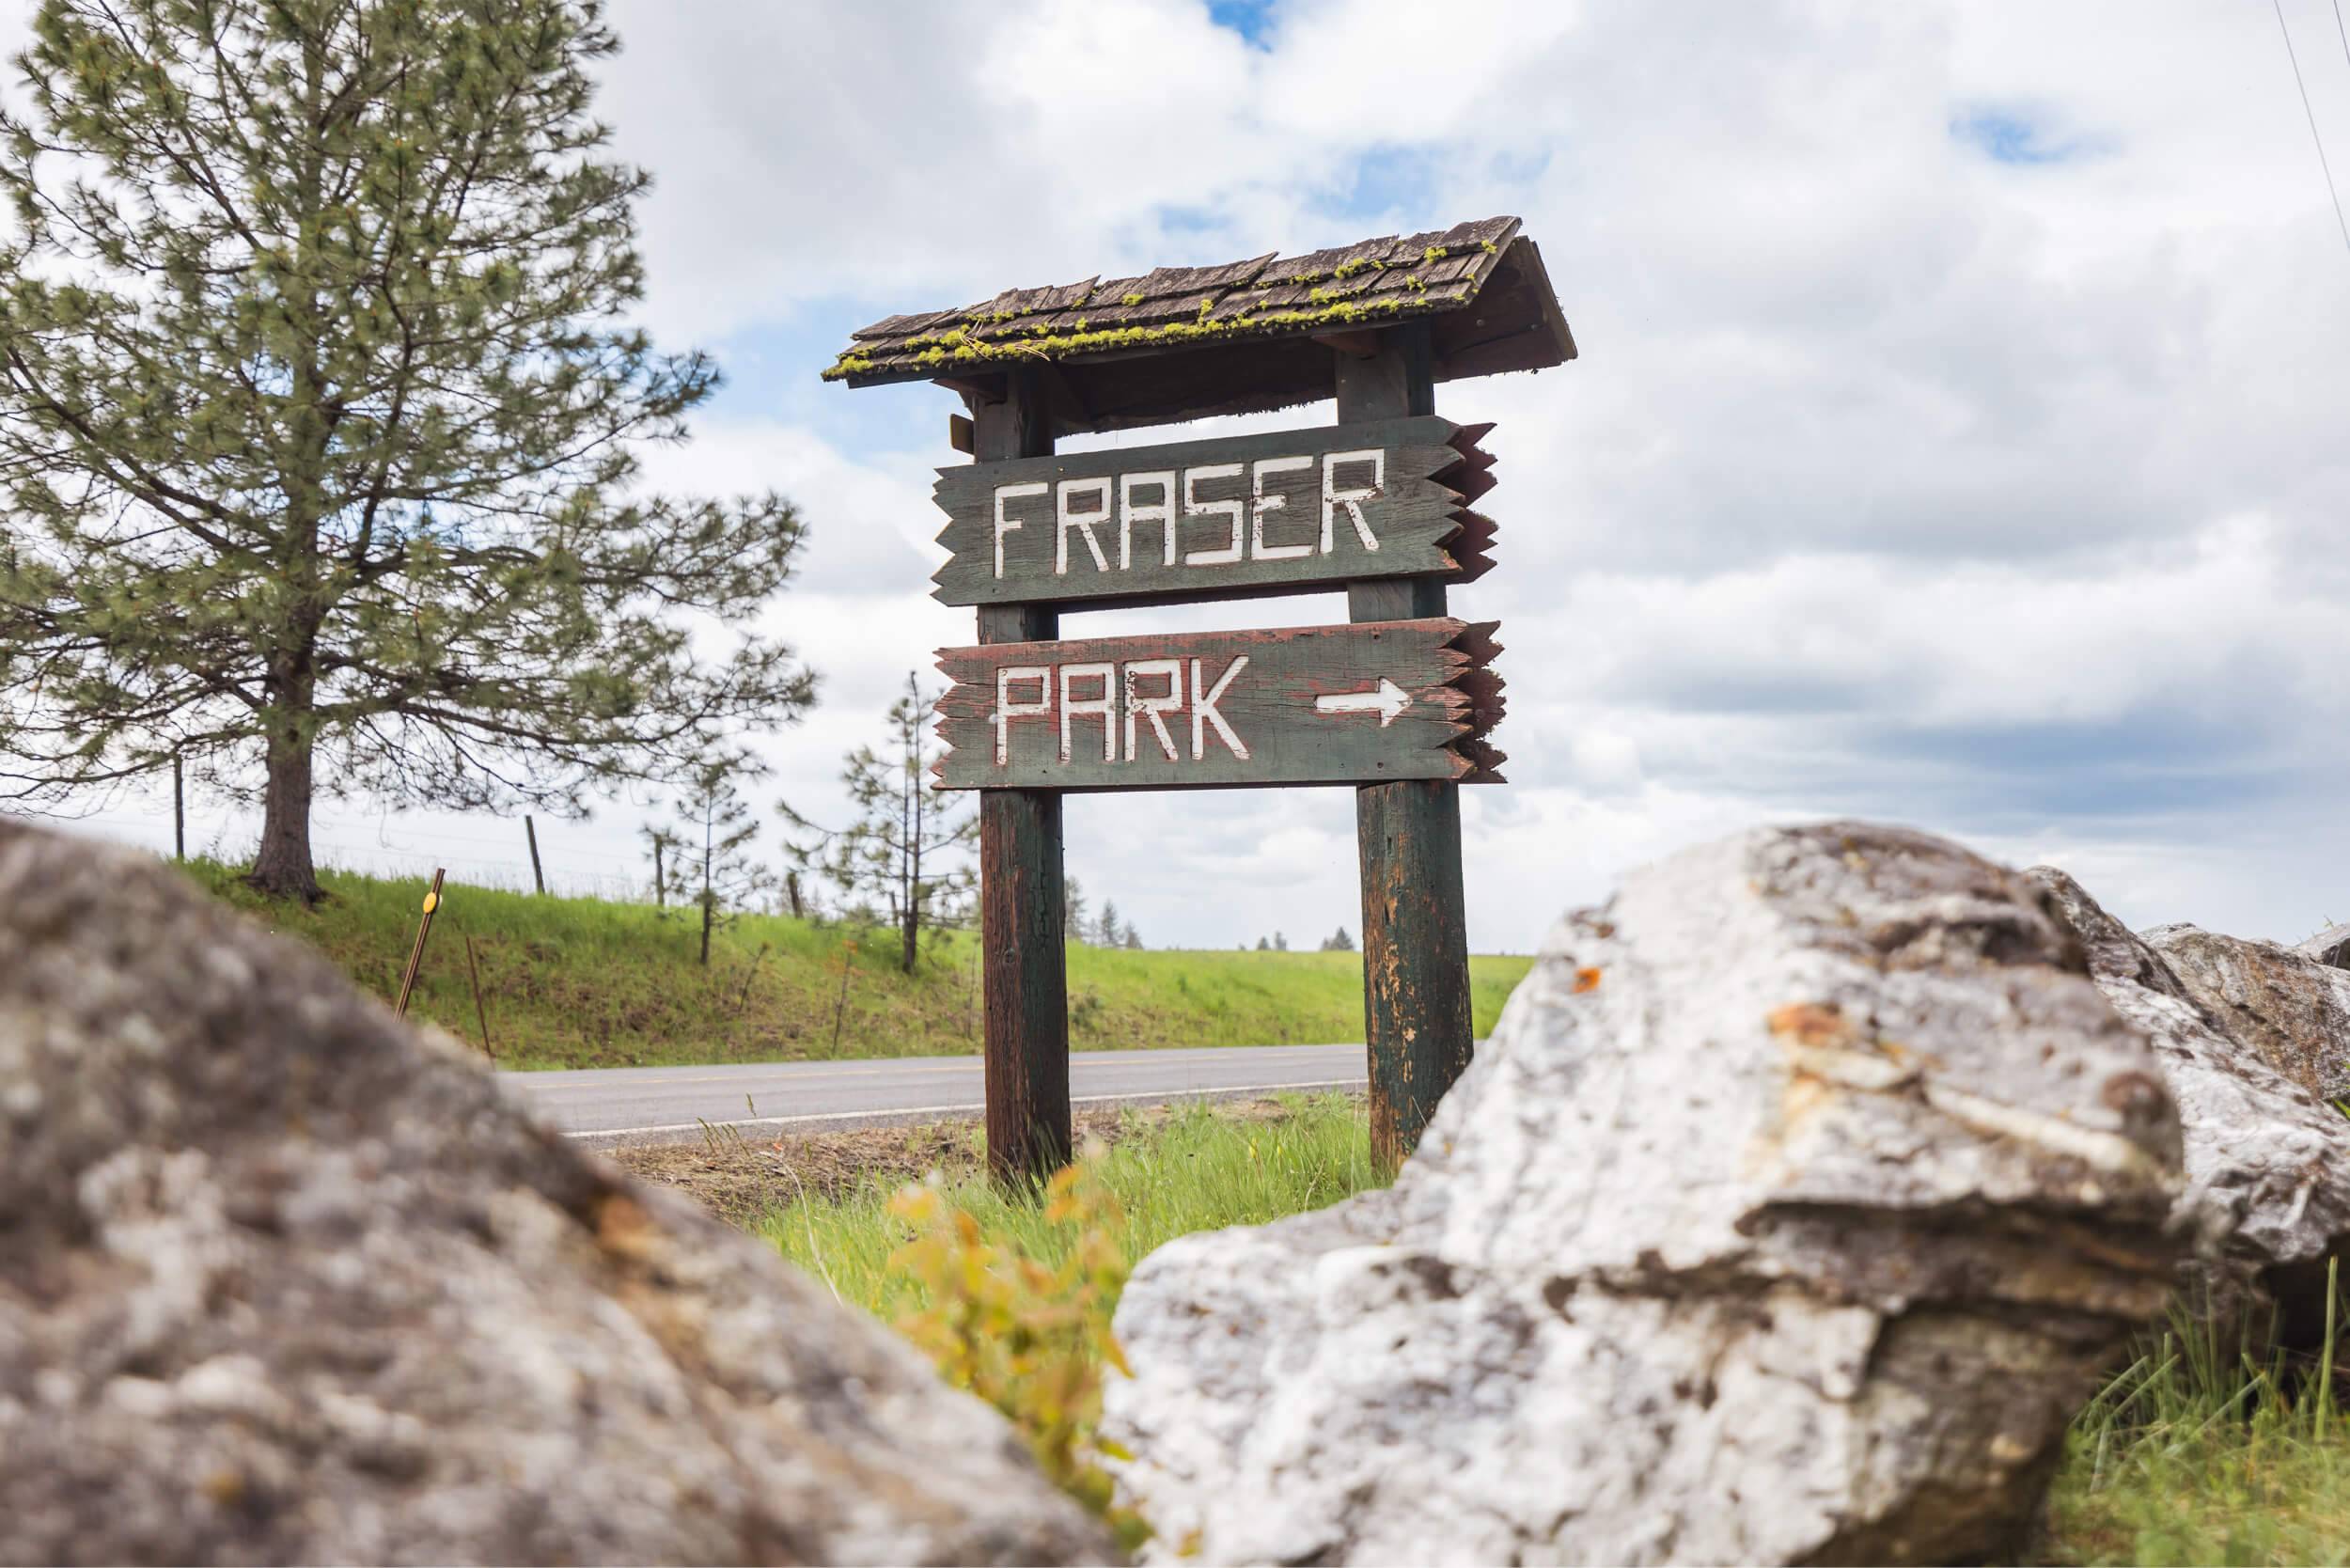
(591, 984)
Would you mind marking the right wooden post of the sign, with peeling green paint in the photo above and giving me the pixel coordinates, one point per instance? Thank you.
(1409, 836)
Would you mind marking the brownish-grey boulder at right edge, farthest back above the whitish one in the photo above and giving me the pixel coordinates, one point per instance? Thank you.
(2283, 1003)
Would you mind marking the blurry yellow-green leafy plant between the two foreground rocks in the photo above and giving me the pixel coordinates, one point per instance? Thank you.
(1028, 1336)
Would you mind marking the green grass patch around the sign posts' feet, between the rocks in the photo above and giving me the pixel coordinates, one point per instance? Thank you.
(1197, 1170)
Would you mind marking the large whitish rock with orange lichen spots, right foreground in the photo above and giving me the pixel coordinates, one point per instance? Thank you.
(1799, 1200)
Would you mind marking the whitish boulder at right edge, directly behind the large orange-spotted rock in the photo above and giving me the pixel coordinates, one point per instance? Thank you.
(2269, 1165)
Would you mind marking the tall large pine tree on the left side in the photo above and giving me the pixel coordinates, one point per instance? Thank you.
(321, 422)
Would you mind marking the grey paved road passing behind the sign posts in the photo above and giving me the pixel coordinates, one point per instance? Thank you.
(610, 1106)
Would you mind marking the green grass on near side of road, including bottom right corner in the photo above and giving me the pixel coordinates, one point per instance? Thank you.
(2191, 1456)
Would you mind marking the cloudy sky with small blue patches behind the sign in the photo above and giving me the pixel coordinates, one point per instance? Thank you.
(1959, 434)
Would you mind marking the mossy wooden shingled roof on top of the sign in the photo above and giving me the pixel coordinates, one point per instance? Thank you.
(1237, 337)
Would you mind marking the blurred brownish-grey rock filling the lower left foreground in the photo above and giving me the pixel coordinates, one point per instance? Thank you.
(281, 1282)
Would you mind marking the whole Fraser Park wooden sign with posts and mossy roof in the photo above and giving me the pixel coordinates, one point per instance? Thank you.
(1397, 702)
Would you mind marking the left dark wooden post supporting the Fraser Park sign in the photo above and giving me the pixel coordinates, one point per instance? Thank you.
(1021, 876)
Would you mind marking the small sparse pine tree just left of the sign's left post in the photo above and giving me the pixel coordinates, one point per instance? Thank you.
(908, 845)
